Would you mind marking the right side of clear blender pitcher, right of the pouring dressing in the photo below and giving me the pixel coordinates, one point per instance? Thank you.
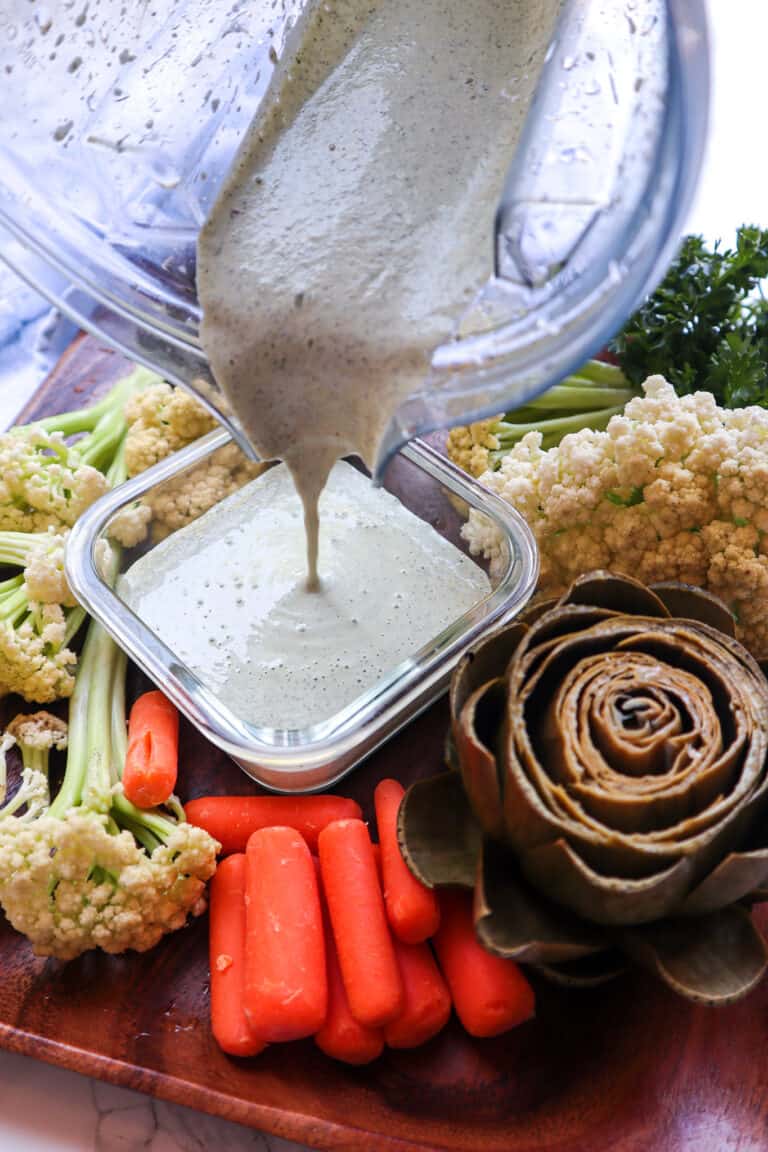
(594, 208)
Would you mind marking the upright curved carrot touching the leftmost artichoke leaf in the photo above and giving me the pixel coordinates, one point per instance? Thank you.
(413, 908)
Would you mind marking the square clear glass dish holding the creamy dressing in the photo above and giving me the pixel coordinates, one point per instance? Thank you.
(302, 760)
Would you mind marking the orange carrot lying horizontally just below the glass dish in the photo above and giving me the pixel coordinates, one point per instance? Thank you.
(233, 820)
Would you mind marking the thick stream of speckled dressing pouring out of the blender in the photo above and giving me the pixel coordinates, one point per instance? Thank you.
(356, 225)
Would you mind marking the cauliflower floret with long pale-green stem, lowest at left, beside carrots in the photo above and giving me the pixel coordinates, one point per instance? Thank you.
(90, 870)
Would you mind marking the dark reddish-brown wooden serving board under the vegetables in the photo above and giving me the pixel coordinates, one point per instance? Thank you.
(627, 1068)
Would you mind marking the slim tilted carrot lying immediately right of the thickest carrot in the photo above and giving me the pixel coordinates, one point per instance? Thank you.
(364, 944)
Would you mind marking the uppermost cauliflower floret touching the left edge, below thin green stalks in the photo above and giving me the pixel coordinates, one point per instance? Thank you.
(43, 482)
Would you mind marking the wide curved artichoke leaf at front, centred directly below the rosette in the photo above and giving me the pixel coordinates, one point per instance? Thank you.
(557, 869)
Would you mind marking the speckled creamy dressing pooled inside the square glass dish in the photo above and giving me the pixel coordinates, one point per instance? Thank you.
(229, 596)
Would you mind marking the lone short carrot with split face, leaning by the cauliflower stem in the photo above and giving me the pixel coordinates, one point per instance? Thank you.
(153, 757)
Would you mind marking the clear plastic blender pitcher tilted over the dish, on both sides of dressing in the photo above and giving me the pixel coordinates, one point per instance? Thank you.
(119, 124)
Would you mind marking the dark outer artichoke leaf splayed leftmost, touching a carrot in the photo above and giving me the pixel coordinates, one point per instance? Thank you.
(439, 837)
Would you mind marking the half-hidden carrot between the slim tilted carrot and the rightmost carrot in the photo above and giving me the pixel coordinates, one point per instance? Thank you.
(427, 1006)
